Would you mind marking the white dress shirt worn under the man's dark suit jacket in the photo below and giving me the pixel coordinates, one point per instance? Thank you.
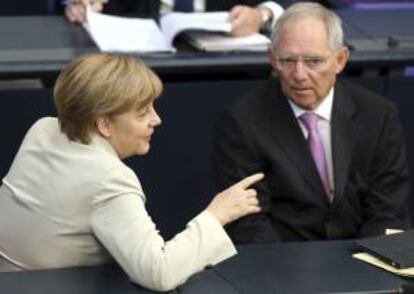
(324, 114)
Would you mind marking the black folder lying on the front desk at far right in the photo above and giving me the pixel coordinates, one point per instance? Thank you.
(396, 250)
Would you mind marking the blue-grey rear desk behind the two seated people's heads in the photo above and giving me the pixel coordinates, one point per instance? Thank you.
(39, 46)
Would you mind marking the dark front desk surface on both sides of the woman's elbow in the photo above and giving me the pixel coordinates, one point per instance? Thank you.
(310, 267)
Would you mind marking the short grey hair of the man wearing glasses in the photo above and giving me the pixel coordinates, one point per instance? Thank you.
(333, 23)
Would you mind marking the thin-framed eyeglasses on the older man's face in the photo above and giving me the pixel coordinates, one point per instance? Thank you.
(287, 62)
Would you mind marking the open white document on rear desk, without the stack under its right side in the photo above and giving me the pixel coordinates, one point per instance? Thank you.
(125, 34)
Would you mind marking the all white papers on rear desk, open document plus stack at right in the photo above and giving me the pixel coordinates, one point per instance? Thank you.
(126, 34)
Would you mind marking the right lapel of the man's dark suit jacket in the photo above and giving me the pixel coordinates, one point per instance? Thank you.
(343, 137)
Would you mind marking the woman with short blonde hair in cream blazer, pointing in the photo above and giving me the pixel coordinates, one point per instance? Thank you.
(69, 200)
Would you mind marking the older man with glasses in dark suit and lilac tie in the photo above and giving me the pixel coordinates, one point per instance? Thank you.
(332, 152)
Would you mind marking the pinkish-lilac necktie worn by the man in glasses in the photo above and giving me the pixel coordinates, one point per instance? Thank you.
(309, 119)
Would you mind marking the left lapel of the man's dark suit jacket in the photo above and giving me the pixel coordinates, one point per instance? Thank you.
(285, 129)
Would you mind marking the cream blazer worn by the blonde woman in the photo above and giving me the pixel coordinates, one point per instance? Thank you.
(66, 204)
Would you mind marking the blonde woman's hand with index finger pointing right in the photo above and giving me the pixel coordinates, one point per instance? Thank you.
(237, 201)
